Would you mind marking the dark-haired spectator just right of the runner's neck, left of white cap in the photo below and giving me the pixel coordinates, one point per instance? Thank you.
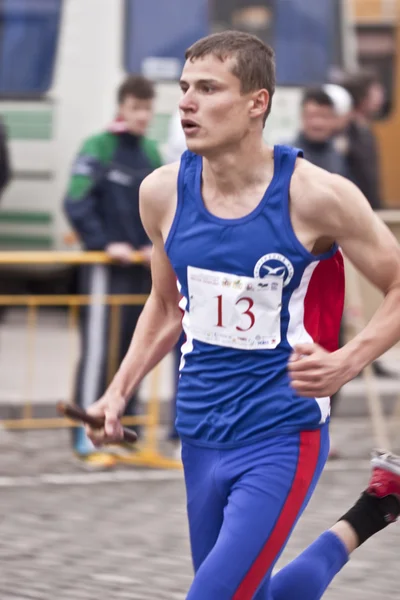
(318, 126)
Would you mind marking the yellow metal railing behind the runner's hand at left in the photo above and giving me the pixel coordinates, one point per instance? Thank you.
(148, 448)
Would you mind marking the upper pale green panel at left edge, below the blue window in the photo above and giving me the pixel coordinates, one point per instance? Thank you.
(28, 124)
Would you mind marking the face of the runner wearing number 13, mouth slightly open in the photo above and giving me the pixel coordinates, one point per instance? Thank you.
(214, 112)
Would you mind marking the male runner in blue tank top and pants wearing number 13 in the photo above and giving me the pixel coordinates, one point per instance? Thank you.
(252, 235)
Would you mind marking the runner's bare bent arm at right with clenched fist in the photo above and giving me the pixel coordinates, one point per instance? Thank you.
(342, 213)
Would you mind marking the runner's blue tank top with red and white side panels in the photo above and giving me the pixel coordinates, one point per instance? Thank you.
(250, 292)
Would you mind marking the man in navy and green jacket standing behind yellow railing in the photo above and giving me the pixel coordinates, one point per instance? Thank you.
(102, 205)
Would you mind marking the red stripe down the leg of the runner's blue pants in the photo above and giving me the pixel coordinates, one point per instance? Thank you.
(310, 442)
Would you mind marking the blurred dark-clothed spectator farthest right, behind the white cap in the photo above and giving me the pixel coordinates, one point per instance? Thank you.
(363, 156)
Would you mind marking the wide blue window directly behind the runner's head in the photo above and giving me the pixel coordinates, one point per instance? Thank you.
(305, 34)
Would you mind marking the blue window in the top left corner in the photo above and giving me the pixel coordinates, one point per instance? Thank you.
(28, 43)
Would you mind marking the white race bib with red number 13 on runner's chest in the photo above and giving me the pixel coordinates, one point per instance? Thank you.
(236, 312)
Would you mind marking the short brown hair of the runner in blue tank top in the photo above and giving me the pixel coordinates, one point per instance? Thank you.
(255, 61)
